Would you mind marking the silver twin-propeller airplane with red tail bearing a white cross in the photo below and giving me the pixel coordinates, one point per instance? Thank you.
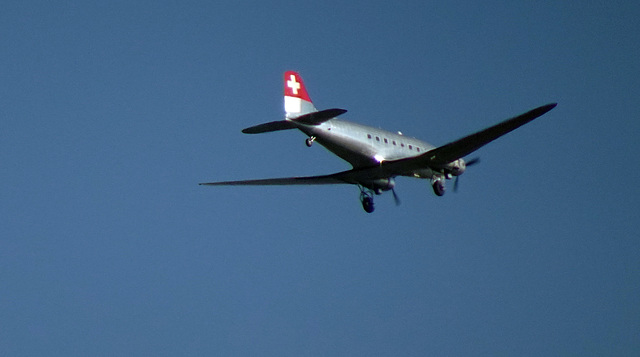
(377, 156)
